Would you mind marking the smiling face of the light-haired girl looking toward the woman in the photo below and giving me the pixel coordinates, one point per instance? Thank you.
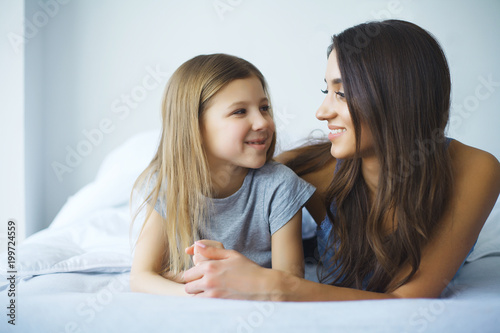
(237, 128)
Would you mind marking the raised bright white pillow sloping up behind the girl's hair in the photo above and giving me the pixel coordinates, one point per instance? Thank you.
(114, 180)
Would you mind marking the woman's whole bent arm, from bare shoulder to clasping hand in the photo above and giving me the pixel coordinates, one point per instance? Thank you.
(476, 188)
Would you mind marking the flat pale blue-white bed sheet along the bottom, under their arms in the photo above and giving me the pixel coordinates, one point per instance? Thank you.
(91, 302)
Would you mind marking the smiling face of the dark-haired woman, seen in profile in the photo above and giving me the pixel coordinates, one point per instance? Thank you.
(335, 111)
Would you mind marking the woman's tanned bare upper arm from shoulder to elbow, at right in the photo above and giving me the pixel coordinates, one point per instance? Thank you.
(476, 185)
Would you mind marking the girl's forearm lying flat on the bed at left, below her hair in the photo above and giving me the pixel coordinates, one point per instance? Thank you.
(152, 283)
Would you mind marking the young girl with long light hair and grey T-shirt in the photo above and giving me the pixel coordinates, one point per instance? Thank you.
(213, 178)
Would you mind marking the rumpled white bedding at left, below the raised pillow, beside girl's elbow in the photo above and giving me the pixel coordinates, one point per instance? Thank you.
(99, 242)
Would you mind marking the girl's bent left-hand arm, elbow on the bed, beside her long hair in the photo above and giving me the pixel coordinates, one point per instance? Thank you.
(145, 275)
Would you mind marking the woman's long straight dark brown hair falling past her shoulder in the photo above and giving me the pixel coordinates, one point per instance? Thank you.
(397, 83)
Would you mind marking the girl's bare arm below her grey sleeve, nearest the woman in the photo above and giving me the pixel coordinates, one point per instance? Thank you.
(286, 243)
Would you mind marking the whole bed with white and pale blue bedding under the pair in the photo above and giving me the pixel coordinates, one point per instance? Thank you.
(73, 277)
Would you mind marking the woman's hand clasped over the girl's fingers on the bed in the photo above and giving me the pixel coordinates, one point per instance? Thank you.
(229, 274)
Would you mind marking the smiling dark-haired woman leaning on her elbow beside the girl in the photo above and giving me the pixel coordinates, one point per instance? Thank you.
(405, 204)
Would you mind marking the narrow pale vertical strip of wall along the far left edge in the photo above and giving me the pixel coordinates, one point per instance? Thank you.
(12, 163)
